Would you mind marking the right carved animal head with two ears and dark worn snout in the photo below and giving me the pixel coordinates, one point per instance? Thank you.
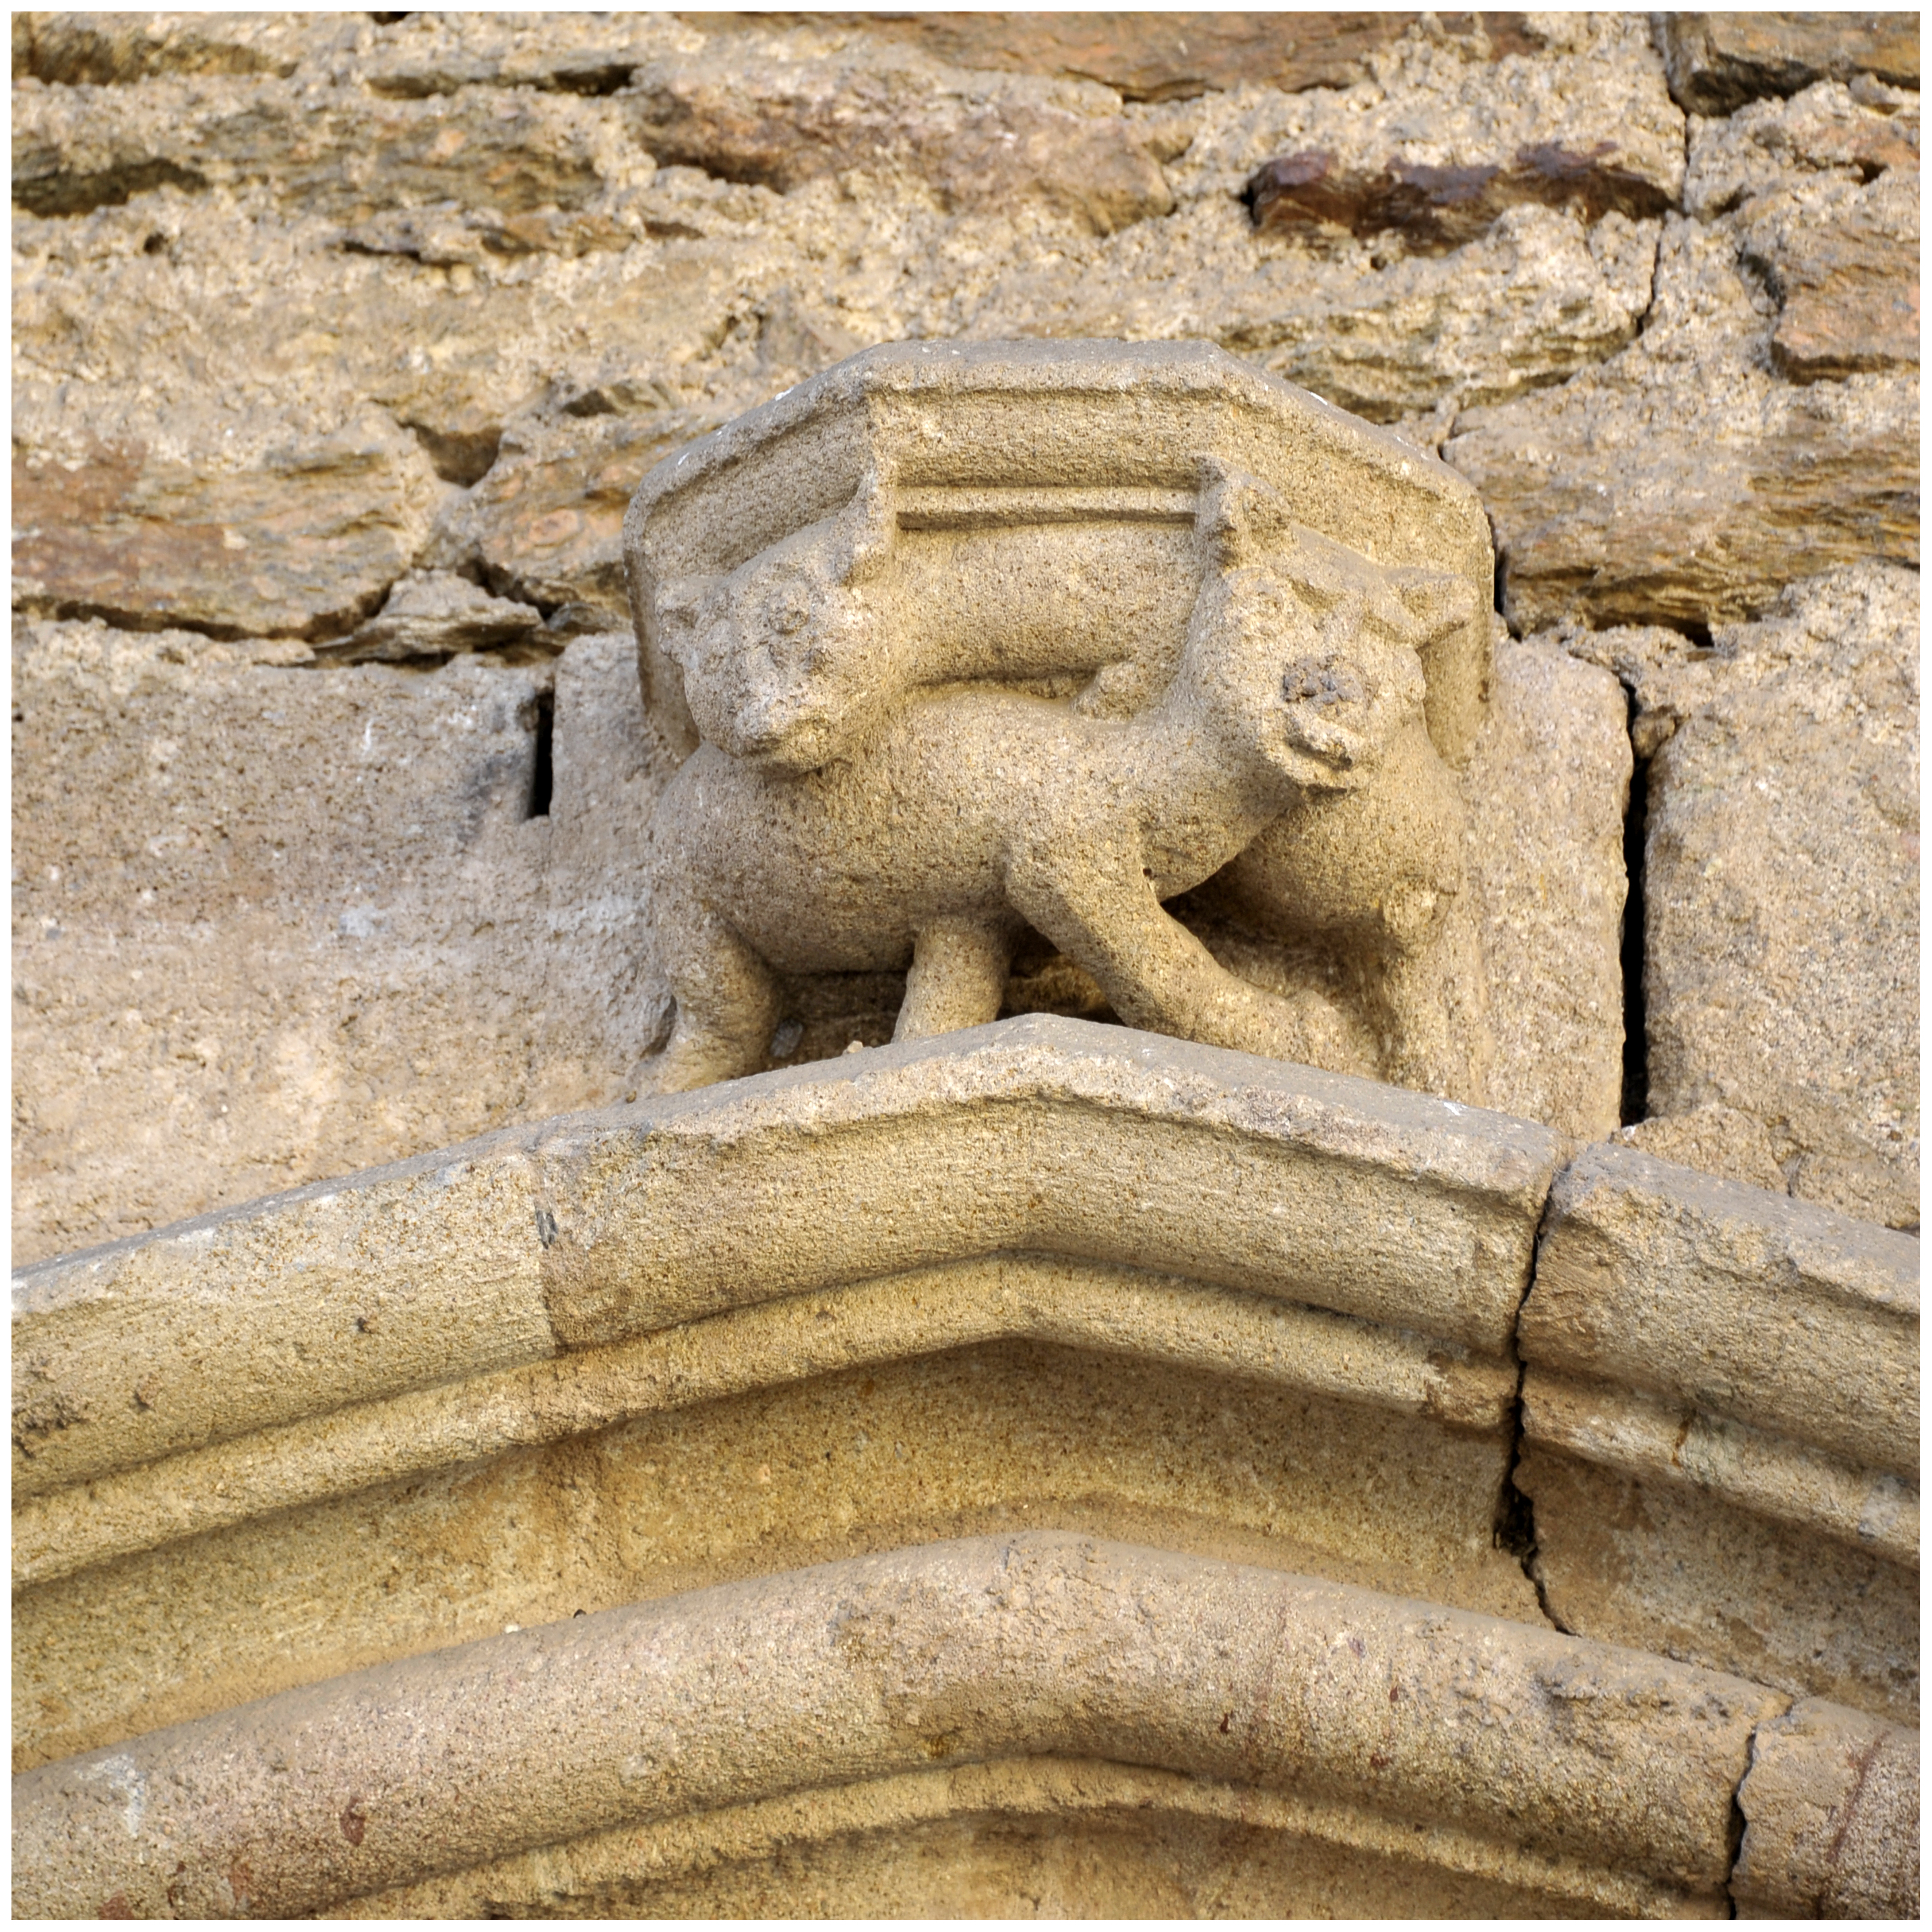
(1309, 652)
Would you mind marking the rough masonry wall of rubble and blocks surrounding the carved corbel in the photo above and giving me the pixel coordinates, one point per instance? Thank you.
(343, 341)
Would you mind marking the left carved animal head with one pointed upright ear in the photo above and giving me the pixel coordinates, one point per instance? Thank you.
(785, 658)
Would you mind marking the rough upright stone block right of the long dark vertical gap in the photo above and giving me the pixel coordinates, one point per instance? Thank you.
(1780, 880)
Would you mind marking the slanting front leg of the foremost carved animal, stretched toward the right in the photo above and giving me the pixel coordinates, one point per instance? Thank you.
(1156, 973)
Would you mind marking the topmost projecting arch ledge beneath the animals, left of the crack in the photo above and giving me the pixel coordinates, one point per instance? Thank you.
(1031, 1135)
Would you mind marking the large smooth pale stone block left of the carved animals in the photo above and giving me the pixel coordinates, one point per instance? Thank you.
(405, 963)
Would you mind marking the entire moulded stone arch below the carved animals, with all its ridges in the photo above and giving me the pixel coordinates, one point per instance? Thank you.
(801, 1321)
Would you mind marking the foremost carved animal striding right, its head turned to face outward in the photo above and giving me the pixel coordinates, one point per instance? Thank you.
(973, 812)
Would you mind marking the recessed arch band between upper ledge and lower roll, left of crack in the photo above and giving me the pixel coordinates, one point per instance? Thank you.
(700, 1456)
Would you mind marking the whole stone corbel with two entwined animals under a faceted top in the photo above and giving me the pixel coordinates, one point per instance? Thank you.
(965, 642)
